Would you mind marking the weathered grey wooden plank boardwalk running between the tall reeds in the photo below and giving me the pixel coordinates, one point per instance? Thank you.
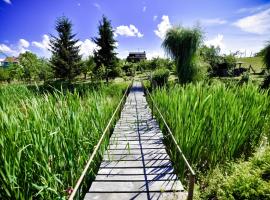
(136, 164)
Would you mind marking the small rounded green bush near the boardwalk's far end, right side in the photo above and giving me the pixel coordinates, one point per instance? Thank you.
(160, 77)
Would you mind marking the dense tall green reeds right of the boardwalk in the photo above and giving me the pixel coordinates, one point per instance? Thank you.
(213, 124)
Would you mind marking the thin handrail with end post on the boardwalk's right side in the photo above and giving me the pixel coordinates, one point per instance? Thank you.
(192, 173)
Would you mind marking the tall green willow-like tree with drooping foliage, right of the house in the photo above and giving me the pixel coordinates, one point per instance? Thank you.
(182, 45)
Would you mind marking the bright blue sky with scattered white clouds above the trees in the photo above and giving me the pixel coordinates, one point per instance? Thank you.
(139, 24)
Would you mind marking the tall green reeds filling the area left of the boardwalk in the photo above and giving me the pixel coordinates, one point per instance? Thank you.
(46, 138)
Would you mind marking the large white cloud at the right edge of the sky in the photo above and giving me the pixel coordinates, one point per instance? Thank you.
(258, 23)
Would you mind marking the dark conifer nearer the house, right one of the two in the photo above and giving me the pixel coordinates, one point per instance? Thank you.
(105, 55)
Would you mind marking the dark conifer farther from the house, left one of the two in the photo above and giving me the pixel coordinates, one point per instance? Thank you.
(65, 60)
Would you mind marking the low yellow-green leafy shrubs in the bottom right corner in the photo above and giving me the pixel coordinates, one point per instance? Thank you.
(240, 180)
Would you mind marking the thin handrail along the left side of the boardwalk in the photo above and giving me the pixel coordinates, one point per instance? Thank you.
(76, 193)
